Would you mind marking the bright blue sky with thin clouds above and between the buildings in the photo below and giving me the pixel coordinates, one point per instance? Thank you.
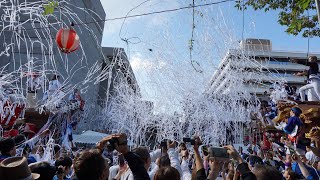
(165, 74)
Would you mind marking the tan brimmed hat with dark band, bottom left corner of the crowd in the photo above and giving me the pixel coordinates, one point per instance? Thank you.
(16, 168)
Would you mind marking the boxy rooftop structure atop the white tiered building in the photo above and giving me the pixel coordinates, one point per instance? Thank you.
(256, 45)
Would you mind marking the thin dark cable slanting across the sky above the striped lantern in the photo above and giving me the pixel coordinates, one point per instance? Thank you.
(140, 15)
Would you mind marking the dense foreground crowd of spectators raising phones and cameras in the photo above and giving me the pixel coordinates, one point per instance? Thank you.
(112, 158)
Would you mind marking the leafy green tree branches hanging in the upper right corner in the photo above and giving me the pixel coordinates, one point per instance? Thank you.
(298, 15)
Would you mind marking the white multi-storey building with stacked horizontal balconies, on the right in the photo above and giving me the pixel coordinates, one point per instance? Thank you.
(258, 66)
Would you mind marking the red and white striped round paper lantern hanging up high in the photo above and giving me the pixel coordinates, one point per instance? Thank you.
(67, 40)
